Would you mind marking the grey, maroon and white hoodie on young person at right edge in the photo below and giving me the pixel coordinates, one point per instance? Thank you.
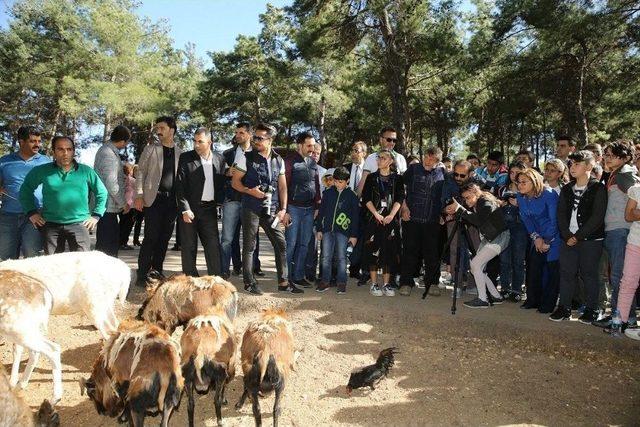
(617, 187)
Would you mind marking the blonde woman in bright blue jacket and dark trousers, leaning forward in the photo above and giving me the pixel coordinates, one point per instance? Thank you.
(538, 205)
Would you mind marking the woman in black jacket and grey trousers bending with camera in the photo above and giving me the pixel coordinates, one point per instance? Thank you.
(485, 214)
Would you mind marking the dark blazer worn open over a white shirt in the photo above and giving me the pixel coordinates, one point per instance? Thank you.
(190, 180)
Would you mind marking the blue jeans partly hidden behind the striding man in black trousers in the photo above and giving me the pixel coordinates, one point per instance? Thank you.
(231, 237)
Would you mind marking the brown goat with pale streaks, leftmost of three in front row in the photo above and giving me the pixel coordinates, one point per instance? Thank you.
(136, 374)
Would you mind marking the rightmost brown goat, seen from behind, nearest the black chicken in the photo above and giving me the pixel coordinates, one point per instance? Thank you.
(267, 357)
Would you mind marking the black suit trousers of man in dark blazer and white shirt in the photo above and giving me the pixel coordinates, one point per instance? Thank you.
(204, 226)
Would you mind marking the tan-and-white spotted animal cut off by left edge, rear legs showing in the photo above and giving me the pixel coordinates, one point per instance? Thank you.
(25, 305)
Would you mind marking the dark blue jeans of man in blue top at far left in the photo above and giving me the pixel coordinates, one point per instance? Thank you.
(18, 236)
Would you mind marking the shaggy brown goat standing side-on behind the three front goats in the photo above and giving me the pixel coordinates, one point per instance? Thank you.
(178, 299)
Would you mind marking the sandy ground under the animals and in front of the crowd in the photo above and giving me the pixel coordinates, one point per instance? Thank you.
(498, 366)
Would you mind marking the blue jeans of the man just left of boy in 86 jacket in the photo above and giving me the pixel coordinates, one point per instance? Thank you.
(297, 235)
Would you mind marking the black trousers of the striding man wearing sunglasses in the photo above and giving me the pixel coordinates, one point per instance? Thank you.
(250, 223)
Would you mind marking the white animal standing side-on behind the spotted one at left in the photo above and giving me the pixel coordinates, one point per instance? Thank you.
(87, 282)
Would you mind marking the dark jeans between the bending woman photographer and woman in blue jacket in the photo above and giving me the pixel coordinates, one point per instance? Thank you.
(512, 259)
